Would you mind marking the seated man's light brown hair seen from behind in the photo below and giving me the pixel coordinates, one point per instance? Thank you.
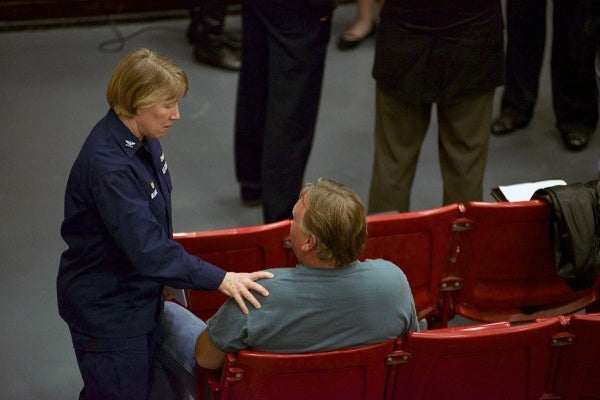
(335, 215)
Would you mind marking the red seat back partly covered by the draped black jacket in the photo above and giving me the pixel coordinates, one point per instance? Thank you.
(506, 264)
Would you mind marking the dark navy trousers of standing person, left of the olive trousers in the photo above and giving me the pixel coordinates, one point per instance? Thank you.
(279, 89)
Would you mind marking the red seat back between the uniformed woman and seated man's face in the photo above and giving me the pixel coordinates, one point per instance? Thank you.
(245, 249)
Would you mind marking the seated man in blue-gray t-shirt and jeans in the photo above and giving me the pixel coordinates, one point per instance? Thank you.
(330, 300)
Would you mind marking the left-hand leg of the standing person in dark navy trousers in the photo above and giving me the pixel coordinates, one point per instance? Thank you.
(251, 106)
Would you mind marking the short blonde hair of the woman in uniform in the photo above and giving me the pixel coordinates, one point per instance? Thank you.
(142, 79)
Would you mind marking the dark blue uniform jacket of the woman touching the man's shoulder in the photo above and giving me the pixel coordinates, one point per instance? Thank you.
(119, 232)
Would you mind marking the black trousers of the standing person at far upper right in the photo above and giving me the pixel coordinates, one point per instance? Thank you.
(574, 94)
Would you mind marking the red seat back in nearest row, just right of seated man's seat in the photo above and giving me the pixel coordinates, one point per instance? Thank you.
(489, 362)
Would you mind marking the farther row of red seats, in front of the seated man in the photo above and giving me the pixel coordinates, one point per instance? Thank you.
(485, 261)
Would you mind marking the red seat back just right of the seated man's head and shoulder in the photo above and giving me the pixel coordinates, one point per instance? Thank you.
(419, 243)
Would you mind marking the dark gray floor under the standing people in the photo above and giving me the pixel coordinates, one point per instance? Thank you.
(52, 86)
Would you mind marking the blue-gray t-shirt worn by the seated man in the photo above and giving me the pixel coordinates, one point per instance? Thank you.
(317, 309)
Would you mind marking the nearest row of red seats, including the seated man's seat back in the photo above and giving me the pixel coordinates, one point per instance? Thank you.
(551, 358)
